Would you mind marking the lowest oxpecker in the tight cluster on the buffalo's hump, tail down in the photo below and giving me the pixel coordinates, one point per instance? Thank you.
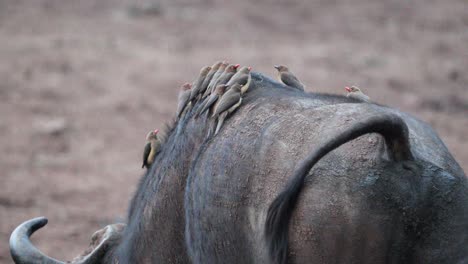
(227, 104)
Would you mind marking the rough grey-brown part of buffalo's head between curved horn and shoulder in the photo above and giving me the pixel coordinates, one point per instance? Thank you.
(101, 241)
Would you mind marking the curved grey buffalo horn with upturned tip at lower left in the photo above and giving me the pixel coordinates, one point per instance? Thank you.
(22, 250)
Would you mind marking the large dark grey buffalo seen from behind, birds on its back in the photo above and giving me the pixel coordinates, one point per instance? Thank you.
(291, 177)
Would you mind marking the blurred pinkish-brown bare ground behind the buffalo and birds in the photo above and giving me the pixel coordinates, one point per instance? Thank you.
(82, 82)
